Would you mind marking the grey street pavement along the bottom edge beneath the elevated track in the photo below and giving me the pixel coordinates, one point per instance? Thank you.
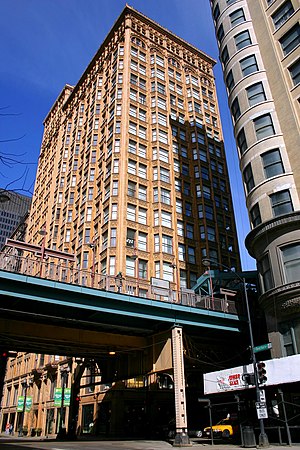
(38, 443)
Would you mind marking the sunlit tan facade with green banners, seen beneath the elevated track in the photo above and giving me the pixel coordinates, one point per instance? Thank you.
(42, 380)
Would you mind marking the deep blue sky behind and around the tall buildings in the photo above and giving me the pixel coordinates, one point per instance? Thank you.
(48, 43)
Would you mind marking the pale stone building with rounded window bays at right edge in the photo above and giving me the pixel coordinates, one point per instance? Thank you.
(260, 54)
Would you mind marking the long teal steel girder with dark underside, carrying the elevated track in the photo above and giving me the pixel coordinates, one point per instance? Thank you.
(23, 295)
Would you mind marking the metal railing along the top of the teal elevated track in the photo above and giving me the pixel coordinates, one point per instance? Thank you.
(67, 273)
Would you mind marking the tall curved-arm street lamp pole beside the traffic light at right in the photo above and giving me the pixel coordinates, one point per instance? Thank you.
(263, 438)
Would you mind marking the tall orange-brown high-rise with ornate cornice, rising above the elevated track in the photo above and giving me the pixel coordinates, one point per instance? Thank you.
(132, 175)
